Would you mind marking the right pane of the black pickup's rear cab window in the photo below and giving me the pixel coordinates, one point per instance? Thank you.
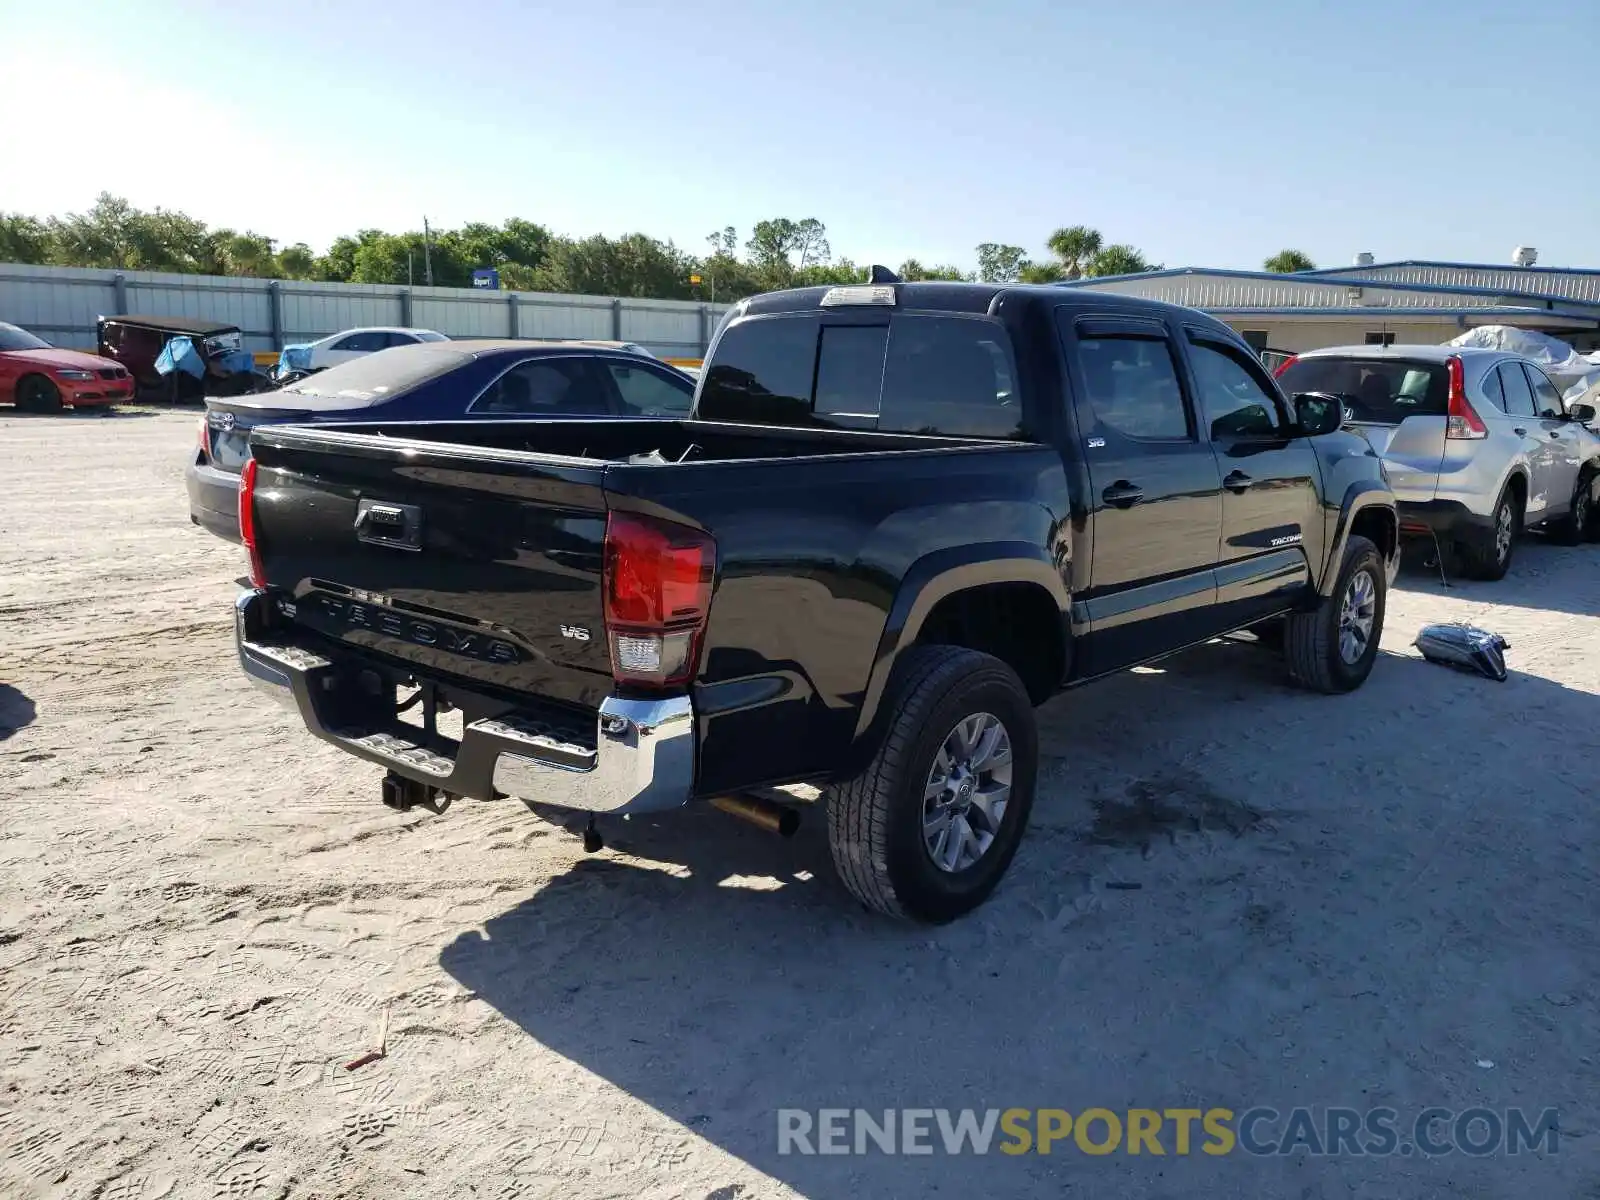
(950, 375)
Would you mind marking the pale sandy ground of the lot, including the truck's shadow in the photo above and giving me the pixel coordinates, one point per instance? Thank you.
(206, 914)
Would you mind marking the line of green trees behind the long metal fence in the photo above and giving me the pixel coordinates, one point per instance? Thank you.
(778, 254)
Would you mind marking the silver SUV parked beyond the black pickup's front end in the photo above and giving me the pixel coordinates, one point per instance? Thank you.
(1478, 444)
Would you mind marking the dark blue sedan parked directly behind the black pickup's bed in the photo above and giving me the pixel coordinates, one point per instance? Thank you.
(433, 382)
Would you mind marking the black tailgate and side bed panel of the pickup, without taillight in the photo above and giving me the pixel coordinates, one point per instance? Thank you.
(492, 577)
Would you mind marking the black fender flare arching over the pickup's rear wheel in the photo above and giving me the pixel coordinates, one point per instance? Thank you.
(942, 575)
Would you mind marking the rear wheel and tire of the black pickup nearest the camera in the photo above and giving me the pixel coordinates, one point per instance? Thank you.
(881, 825)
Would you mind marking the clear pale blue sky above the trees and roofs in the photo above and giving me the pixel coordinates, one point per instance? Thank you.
(1204, 134)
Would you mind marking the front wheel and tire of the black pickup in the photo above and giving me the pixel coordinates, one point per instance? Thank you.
(1316, 642)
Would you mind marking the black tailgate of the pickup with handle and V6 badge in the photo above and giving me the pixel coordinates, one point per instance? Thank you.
(482, 567)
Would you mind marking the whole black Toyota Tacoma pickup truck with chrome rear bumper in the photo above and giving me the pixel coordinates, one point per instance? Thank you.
(900, 519)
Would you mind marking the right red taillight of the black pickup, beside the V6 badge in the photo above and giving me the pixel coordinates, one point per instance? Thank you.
(657, 585)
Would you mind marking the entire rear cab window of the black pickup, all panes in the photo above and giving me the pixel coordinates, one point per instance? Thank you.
(910, 374)
